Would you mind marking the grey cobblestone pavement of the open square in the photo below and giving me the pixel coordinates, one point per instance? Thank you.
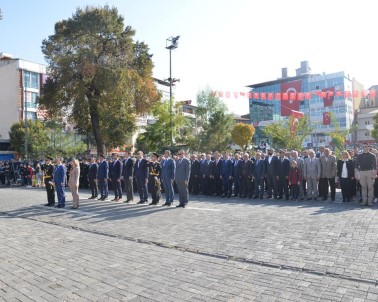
(213, 250)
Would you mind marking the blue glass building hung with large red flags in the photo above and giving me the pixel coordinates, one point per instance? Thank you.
(264, 111)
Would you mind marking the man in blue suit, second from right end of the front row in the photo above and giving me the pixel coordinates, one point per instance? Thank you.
(168, 171)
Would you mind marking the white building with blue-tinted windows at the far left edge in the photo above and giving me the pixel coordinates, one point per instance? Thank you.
(20, 87)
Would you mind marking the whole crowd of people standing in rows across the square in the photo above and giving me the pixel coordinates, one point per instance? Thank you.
(265, 174)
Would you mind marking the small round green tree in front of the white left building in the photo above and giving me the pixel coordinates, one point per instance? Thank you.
(37, 138)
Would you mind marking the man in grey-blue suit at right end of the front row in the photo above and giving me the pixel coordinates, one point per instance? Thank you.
(182, 179)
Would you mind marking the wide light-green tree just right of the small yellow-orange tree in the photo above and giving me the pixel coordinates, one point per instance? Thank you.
(283, 136)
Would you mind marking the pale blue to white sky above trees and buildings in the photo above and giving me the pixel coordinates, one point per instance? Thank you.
(223, 45)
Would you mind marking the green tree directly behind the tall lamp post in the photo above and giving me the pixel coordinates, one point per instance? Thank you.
(157, 135)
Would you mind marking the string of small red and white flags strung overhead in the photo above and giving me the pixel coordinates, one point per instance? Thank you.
(295, 96)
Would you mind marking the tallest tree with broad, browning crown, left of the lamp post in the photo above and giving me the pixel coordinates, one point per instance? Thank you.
(98, 76)
